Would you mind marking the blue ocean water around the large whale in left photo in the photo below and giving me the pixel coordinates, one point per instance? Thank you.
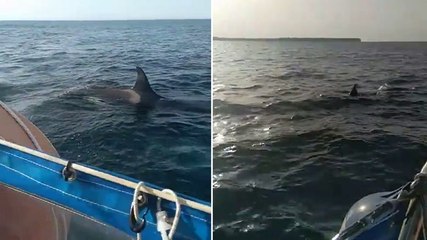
(43, 63)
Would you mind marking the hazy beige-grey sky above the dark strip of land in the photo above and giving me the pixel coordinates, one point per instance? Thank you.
(371, 20)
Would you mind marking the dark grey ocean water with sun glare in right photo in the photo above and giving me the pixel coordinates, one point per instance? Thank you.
(293, 151)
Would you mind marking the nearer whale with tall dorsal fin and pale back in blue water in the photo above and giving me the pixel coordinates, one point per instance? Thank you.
(140, 94)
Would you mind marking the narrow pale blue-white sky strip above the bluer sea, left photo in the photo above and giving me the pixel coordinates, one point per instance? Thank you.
(104, 9)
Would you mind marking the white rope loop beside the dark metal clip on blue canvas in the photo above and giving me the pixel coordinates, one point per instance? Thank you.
(162, 224)
